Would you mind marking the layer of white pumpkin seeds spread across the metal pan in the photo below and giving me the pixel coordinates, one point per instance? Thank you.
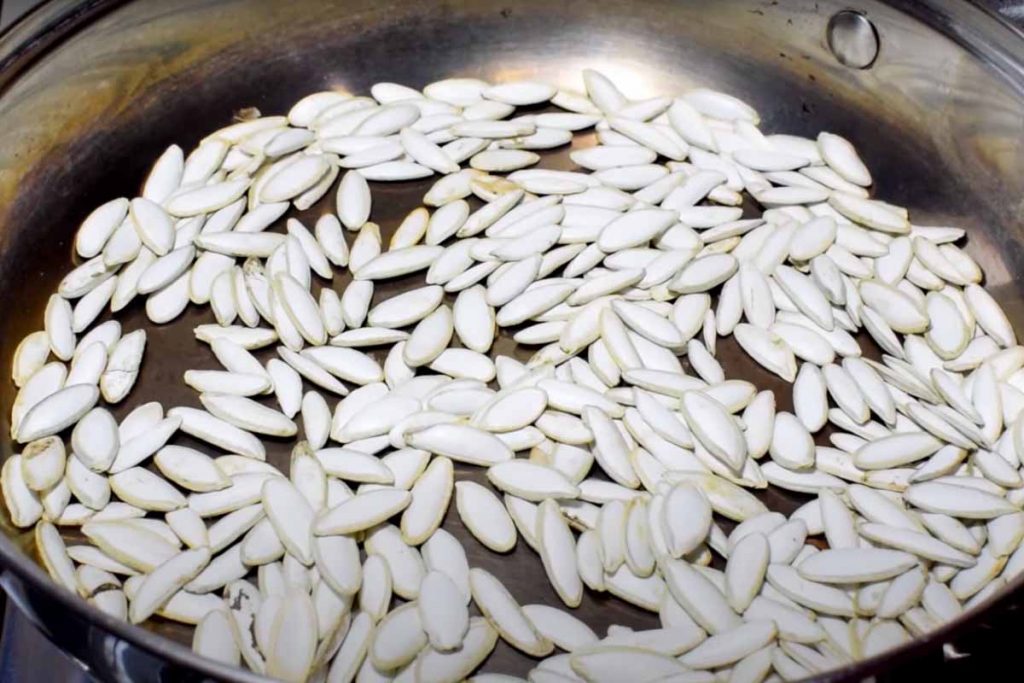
(635, 465)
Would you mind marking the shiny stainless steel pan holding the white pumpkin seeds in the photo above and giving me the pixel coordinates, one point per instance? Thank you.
(93, 92)
